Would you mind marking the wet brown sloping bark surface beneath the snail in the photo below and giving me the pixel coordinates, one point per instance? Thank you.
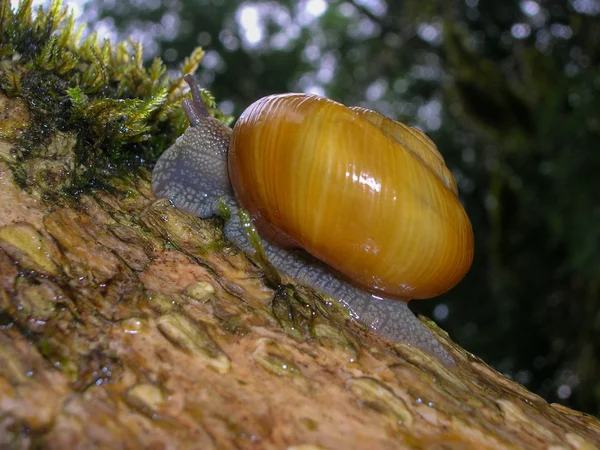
(125, 323)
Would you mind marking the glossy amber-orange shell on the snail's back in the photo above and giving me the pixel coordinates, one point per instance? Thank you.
(368, 196)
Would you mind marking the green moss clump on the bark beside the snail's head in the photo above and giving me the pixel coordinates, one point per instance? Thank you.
(123, 113)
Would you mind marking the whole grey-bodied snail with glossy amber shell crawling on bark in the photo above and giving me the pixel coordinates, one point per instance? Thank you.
(345, 200)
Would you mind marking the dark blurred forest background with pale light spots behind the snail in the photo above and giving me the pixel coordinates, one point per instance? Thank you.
(510, 92)
